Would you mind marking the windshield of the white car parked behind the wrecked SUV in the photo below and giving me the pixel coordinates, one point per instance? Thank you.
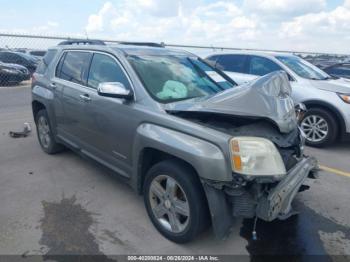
(303, 68)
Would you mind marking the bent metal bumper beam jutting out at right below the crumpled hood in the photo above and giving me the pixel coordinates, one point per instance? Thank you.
(277, 204)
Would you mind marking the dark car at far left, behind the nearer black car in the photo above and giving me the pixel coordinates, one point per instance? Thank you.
(25, 60)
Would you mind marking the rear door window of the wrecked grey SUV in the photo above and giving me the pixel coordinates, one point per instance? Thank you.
(73, 67)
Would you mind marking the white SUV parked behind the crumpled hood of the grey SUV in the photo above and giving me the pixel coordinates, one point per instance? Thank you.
(327, 98)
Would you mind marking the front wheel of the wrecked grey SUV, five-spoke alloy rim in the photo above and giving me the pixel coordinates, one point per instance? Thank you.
(193, 201)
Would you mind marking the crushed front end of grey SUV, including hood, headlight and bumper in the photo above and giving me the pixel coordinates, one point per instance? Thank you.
(266, 150)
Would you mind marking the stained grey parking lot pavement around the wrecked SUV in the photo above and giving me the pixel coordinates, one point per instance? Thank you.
(64, 204)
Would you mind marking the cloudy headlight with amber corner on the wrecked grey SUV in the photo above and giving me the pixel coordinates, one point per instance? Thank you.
(256, 156)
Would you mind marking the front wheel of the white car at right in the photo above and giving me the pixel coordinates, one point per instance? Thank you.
(326, 131)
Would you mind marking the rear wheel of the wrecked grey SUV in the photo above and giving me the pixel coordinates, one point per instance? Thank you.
(46, 138)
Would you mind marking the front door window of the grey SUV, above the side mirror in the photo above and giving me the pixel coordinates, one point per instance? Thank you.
(105, 69)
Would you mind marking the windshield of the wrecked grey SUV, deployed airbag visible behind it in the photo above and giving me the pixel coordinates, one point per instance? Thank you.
(174, 78)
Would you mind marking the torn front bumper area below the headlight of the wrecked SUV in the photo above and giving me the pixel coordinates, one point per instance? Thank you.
(265, 201)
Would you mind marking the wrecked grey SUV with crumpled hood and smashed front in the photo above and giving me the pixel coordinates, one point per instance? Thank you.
(199, 148)
